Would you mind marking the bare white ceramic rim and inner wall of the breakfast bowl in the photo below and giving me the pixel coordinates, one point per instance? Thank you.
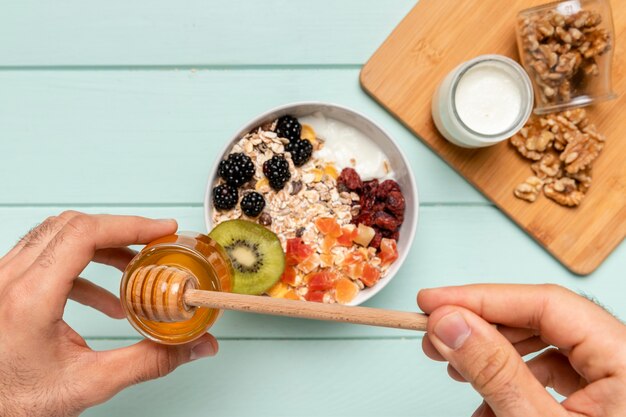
(403, 173)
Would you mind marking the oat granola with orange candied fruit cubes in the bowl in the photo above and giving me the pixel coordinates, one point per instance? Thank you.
(314, 219)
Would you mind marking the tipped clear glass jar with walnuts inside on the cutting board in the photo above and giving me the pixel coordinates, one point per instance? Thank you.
(567, 48)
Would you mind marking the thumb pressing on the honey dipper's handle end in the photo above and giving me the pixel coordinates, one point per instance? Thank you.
(490, 363)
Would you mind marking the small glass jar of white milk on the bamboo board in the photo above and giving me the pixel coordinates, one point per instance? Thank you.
(483, 101)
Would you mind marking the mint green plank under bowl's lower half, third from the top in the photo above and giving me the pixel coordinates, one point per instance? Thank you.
(454, 245)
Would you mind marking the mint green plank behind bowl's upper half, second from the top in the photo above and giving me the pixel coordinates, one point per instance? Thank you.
(80, 137)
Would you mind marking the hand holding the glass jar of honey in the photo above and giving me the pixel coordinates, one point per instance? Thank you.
(46, 368)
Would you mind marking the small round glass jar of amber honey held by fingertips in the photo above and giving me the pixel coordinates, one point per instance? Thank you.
(195, 254)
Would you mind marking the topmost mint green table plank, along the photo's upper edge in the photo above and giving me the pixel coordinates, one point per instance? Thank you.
(196, 33)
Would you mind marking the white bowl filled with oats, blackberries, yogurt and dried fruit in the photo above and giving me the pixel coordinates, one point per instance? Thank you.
(332, 185)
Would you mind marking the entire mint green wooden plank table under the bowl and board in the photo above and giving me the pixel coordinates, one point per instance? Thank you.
(121, 107)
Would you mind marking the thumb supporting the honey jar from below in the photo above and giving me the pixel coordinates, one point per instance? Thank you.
(117, 369)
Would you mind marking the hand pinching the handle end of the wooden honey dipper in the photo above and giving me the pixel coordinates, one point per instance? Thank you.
(587, 363)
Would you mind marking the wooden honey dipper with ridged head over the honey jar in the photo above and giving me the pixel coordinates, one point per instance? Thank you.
(170, 294)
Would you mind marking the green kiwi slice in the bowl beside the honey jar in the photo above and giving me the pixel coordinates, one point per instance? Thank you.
(255, 252)
